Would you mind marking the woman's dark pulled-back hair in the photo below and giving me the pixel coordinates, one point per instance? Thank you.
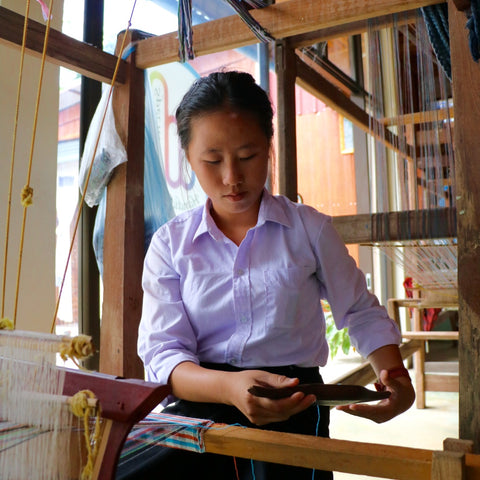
(236, 90)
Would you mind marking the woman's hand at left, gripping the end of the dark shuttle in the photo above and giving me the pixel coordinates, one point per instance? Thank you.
(260, 410)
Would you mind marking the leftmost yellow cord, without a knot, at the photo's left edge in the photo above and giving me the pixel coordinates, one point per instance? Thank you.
(12, 159)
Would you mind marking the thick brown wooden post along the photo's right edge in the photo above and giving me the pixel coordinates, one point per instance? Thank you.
(466, 97)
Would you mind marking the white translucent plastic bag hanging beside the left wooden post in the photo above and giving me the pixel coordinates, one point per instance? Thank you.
(109, 154)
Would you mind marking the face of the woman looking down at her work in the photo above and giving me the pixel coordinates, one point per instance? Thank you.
(229, 154)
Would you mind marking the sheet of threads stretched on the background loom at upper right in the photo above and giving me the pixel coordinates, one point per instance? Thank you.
(420, 111)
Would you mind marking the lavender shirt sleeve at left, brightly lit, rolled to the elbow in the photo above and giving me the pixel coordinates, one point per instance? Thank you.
(166, 337)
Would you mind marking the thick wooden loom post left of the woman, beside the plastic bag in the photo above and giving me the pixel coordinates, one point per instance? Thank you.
(124, 233)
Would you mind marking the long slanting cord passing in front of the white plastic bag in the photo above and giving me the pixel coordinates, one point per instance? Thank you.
(85, 187)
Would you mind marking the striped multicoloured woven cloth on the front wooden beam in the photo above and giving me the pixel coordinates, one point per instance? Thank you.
(160, 429)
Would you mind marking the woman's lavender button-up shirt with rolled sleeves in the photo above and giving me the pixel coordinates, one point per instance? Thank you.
(257, 304)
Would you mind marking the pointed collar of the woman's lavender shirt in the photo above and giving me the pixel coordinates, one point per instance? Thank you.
(271, 210)
